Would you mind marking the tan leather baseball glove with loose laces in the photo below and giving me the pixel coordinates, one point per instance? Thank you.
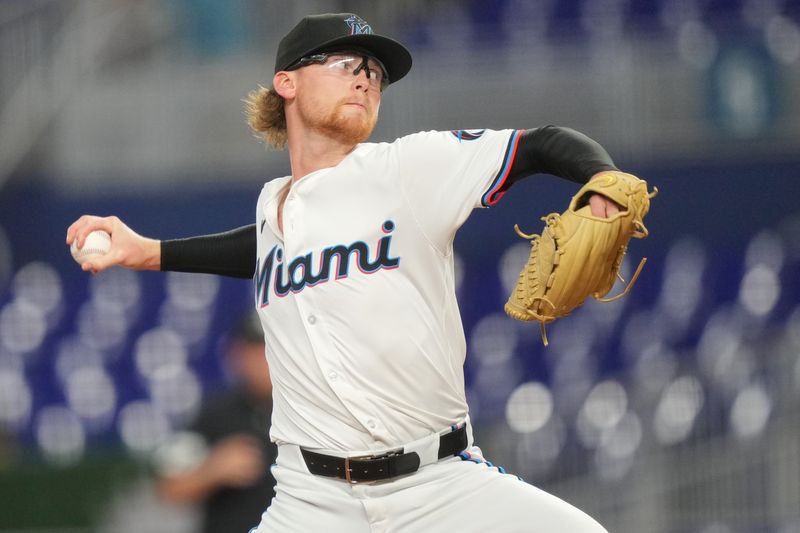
(579, 255)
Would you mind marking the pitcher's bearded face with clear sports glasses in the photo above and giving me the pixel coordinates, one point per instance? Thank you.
(337, 103)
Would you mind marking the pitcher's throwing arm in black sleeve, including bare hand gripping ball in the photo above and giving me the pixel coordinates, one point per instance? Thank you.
(231, 253)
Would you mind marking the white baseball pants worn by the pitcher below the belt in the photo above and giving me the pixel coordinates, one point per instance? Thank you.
(454, 495)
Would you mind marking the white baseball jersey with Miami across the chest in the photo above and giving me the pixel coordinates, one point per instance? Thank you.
(356, 295)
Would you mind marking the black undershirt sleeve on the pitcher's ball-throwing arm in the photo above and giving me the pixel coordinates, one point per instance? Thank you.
(231, 253)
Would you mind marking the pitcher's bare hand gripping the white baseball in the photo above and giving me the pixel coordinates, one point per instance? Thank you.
(128, 248)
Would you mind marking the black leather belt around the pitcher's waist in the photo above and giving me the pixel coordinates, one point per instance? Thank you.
(383, 466)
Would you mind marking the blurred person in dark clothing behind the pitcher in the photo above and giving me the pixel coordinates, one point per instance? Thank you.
(221, 461)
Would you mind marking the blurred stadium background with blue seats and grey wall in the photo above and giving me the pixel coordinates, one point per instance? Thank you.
(674, 410)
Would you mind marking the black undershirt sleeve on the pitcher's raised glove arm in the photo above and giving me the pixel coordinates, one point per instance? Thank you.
(559, 151)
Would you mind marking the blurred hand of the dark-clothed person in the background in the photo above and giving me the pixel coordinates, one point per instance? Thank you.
(237, 461)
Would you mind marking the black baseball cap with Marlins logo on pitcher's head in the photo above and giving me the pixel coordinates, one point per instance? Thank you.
(337, 31)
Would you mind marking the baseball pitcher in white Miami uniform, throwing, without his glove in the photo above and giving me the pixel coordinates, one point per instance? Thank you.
(367, 354)
